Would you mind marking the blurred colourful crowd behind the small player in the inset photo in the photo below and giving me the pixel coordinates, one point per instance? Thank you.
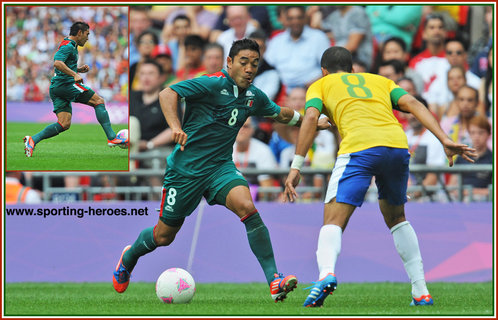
(33, 34)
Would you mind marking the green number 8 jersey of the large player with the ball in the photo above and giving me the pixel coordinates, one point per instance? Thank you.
(215, 111)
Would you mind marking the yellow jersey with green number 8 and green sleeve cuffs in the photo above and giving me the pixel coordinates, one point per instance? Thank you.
(361, 106)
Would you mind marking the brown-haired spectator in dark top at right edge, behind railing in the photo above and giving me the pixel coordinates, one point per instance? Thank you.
(480, 132)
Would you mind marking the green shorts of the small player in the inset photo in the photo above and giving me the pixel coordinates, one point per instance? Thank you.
(63, 95)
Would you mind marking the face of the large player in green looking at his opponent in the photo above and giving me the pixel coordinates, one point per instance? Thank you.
(242, 69)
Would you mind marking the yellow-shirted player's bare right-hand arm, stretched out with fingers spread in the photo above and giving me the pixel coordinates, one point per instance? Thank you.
(410, 104)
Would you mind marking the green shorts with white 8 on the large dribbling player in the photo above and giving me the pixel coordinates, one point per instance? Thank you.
(181, 195)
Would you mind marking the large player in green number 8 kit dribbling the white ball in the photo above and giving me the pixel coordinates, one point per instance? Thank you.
(201, 164)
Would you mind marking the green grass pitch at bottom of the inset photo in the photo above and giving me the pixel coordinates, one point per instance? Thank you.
(82, 147)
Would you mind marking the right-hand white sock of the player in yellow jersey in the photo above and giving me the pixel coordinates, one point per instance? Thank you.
(406, 243)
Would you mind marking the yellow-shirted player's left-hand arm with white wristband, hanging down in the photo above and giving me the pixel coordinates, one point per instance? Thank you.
(304, 142)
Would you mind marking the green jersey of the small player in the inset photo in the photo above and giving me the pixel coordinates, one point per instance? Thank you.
(67, 53)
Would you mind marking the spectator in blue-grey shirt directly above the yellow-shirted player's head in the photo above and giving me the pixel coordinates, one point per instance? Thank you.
(350, 28)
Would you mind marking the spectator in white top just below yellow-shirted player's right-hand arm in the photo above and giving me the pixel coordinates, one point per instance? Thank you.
(424, 148)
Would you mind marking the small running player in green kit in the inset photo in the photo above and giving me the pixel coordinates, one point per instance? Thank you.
(67, 86)
